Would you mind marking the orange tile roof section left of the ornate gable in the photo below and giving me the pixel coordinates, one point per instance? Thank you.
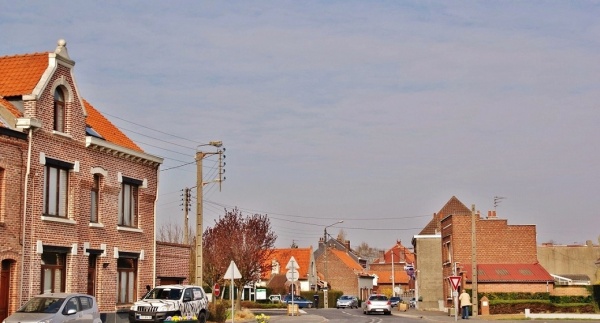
(21, 73)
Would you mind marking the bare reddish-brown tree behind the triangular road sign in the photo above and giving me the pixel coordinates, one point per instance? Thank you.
(247, 240)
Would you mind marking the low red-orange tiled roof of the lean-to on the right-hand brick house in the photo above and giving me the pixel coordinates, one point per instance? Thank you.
(509, 273)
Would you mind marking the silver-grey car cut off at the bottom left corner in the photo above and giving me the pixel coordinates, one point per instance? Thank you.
(57, 308)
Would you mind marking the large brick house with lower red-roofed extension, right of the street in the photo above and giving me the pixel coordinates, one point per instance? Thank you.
(506, 255)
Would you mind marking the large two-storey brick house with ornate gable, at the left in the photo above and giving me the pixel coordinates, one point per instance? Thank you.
(77, 196)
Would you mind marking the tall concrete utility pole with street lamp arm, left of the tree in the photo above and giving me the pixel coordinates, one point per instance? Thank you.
(199, 196)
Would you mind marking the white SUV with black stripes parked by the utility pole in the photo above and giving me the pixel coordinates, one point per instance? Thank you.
(170, 300)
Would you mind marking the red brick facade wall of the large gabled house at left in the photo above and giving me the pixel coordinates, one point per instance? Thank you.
(76, 229)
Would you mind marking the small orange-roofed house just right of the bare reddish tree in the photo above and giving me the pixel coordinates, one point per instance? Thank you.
(276, 279)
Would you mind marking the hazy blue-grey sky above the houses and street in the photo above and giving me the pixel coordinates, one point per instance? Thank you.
(374, 113)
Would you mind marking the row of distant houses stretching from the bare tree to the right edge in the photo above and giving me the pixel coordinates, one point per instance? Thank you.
(505, 256)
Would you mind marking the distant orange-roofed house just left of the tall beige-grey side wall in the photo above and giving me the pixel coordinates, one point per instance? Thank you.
(392, 263)
